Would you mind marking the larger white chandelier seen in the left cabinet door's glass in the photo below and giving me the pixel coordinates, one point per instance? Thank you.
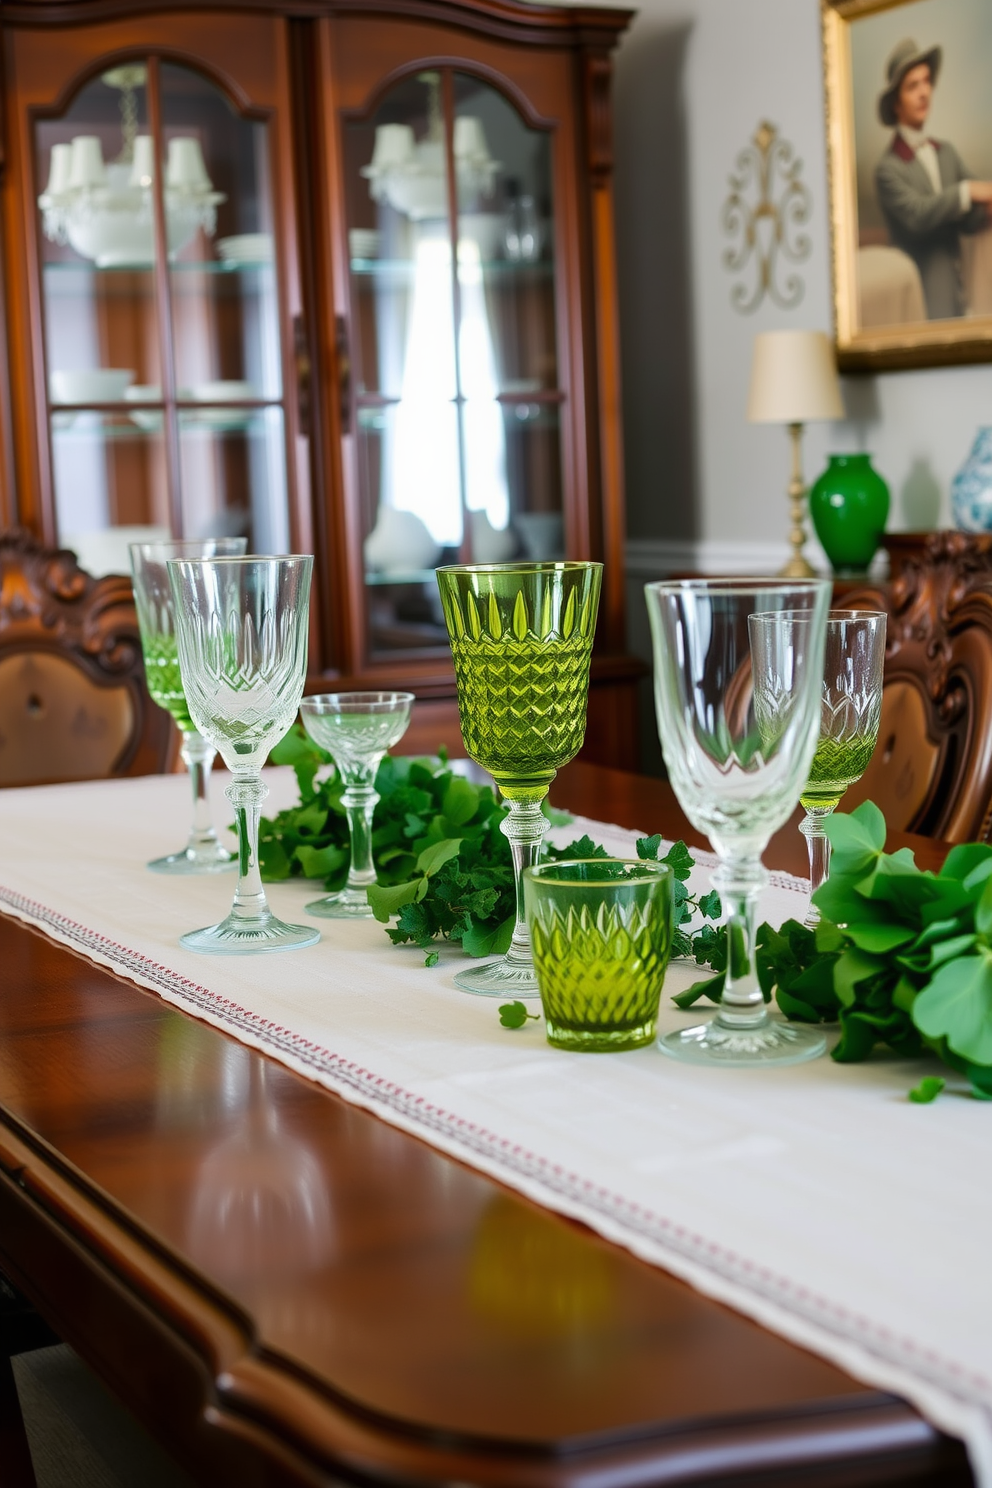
(106, 211)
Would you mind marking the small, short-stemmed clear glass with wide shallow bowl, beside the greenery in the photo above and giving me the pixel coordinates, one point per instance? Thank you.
(356, 728)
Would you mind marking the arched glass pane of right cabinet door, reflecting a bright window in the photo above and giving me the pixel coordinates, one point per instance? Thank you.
(454, 344)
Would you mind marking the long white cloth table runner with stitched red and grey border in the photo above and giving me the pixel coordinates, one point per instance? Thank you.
(814, 1199)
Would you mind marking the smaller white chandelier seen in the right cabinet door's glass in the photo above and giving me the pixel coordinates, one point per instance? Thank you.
(411, 175)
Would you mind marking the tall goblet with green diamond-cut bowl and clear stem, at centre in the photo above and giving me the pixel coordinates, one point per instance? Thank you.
(521, 639)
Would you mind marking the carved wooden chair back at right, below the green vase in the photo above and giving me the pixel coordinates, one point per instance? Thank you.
(932, 770)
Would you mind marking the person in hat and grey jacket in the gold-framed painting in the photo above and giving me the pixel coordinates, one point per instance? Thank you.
(924, 190)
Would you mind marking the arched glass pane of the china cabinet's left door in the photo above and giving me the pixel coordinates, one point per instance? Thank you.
(164, 379)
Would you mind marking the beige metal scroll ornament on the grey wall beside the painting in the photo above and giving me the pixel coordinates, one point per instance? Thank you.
(765, 214)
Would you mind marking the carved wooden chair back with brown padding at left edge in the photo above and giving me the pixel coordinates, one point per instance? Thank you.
(74, 703)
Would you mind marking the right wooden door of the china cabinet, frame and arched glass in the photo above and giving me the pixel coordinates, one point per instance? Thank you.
(459, 245)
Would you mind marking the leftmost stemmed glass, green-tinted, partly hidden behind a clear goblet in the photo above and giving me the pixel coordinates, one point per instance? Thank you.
(154, 600)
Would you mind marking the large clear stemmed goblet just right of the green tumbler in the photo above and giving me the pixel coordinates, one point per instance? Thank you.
(735, 780)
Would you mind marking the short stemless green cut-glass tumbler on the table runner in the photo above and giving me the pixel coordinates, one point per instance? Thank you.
(602, 932)
